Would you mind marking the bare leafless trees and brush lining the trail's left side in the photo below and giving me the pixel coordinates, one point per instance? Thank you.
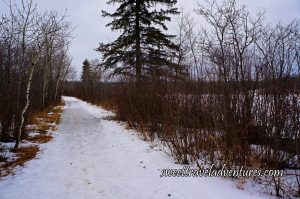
(34, 61)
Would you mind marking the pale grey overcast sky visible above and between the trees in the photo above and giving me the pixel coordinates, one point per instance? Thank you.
(90, 26)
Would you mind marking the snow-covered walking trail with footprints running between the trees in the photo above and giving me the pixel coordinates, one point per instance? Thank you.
(94, 158)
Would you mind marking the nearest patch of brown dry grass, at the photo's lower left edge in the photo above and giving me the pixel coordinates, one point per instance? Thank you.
(25, 154)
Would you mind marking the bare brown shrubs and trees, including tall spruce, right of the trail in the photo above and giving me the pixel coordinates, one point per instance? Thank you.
(227, 93)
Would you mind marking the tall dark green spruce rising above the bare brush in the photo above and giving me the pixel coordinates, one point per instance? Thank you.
(142, 47)
